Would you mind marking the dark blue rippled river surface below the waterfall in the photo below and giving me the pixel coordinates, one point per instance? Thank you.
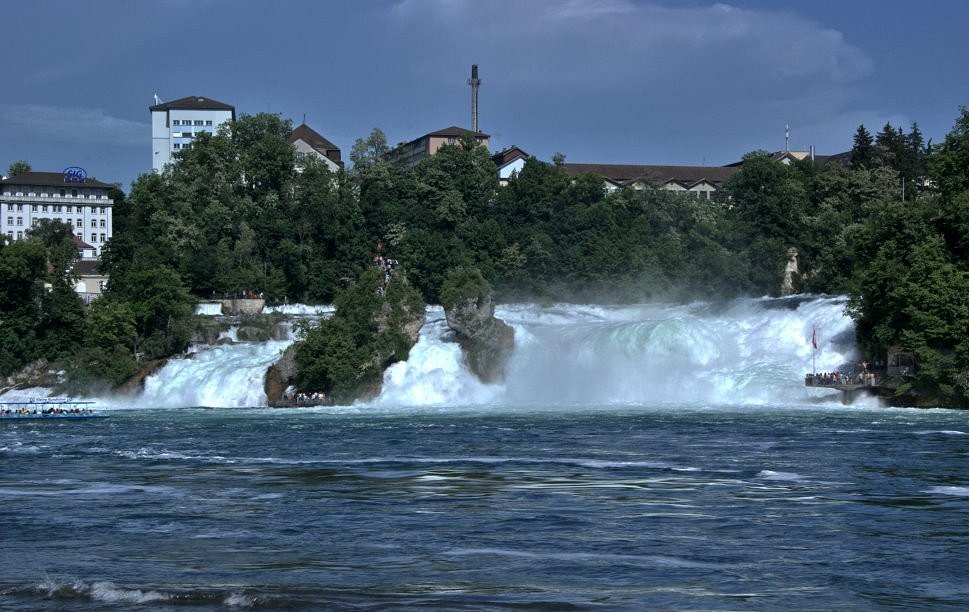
(483, 508)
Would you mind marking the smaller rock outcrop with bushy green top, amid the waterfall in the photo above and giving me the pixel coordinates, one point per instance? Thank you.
(486, 341)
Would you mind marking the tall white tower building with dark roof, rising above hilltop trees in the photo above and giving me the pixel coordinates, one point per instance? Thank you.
(174, 124)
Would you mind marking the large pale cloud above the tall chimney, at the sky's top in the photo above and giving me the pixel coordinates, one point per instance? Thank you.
(608, 42)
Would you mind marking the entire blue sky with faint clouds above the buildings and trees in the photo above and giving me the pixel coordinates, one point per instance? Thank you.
(601, 81)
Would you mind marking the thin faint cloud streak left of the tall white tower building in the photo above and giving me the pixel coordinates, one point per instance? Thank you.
(87, 125)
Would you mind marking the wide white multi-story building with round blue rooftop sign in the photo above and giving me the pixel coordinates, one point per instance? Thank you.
(80, 202)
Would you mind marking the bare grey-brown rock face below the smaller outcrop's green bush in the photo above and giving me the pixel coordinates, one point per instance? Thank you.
(487, 342)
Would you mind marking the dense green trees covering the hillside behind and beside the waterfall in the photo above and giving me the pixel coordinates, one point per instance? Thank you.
(239, 212)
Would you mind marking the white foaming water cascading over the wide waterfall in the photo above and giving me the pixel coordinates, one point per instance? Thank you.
(748, 351)
